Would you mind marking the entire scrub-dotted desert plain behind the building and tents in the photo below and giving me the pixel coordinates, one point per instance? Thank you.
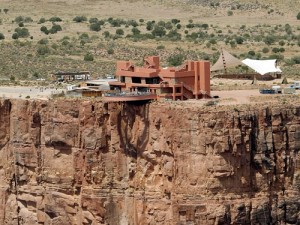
(38, 38)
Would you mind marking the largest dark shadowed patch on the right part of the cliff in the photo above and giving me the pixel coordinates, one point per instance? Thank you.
(243, 177)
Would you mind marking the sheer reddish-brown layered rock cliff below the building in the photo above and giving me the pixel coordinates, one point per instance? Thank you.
(86, 162)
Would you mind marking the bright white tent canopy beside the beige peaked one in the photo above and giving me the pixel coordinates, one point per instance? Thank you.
(262, 66)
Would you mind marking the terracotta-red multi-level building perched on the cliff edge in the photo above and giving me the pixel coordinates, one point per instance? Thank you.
(190, 81)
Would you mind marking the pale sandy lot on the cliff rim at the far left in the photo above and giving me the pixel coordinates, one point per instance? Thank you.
(24, 92)
